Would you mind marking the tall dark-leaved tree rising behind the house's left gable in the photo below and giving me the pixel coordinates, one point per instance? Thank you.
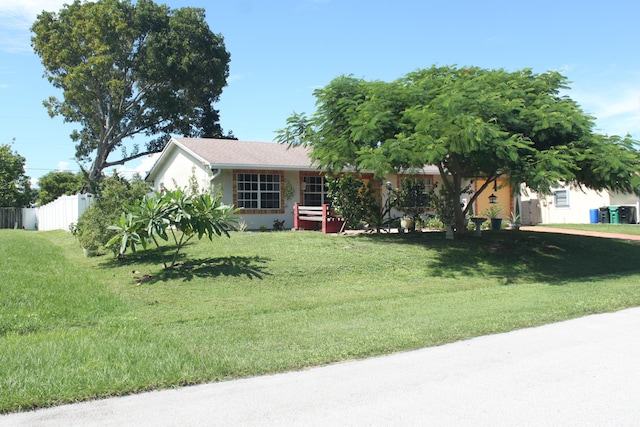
(131, 69)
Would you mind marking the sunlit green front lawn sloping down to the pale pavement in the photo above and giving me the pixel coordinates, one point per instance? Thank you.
(75, 328)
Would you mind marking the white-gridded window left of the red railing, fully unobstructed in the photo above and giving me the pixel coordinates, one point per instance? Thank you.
(258, 191)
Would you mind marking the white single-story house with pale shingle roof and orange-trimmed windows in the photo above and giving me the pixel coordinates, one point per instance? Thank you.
(265, 179)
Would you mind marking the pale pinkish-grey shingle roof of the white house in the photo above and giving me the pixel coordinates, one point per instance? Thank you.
(222, 153)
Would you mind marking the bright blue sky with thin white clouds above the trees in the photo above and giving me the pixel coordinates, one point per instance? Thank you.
(282, 50)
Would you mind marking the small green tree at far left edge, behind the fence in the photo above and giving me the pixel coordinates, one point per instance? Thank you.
(15, 186)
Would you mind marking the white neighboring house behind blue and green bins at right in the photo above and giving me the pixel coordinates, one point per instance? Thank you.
(573, 205)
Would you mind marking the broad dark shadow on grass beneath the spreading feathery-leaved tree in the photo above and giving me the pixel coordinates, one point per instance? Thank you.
(521, 256)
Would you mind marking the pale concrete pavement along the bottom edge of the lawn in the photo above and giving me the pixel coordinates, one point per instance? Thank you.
(582, 372)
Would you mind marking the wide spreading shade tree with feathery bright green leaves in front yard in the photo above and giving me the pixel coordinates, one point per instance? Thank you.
(470, 123)
